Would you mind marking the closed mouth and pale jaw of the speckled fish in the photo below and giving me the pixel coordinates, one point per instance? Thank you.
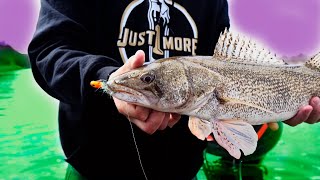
(126, 94)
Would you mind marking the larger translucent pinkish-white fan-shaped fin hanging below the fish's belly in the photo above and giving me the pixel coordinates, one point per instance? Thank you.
(235, 135)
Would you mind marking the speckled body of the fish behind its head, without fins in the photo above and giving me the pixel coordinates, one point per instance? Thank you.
(254, 93)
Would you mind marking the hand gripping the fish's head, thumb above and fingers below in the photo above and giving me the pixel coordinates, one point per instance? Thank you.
(148, 120)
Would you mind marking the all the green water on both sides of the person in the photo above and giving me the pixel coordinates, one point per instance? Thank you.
(30, 147)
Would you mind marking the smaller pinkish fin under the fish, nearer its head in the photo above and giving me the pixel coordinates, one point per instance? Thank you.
(200, 128)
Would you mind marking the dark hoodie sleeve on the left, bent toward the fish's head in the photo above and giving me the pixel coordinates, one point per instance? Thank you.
(62, 60)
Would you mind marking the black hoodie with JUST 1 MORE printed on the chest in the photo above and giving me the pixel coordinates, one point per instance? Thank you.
(78, 41)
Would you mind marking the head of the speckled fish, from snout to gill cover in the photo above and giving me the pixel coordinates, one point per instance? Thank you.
(160, 85)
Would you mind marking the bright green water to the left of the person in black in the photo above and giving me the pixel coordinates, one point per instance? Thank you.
(29, 144)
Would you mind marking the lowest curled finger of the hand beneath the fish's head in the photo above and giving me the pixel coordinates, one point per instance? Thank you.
(152, 123)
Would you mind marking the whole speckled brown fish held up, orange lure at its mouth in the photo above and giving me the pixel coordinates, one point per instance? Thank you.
(241, 85)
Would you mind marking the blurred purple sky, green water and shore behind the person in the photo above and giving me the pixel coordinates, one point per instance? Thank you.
(29, 138)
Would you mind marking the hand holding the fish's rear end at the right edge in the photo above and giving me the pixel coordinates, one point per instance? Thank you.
(309, 114)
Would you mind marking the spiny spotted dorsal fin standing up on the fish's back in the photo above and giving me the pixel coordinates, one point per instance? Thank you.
(238, 48)
